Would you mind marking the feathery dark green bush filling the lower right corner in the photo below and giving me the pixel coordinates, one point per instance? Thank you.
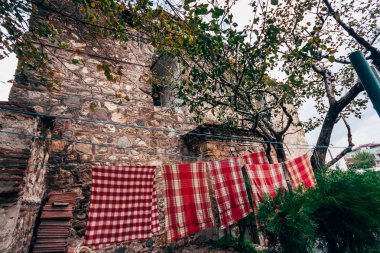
(341, 214)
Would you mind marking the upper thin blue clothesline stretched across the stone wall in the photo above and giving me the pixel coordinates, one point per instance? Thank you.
(309, 146)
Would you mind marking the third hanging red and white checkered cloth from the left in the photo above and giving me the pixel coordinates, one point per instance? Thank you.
(230, 192)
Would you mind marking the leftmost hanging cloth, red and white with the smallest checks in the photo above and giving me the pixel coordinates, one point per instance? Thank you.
(123, 205)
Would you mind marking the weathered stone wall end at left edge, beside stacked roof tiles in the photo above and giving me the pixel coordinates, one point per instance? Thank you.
(23, 172)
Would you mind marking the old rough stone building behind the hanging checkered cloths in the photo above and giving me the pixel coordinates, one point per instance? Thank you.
(52, 137)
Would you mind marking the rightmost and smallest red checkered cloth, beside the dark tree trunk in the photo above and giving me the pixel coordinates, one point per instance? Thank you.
(301, 172)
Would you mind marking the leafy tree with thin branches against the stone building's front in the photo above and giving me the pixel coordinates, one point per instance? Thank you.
(226, 70)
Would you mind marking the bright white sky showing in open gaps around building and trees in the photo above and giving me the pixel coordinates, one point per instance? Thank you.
(364, 130)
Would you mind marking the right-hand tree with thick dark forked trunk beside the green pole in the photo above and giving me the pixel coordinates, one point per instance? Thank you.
(342, 24)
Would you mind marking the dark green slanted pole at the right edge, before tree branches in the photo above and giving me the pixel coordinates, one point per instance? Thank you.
(368, 78)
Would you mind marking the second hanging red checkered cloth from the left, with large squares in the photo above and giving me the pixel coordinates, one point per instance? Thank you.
(188, 206)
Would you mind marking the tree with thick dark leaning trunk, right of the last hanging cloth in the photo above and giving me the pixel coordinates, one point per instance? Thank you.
(323, 41)
